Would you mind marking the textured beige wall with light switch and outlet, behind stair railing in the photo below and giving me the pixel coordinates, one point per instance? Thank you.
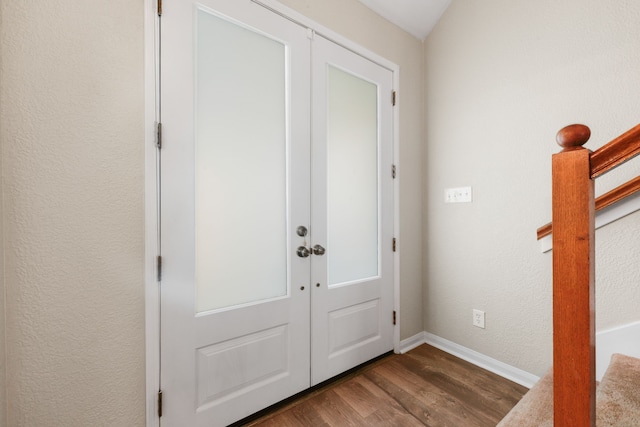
(501, 78)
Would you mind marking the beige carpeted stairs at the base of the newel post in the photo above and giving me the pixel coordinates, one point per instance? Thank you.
(617, 398)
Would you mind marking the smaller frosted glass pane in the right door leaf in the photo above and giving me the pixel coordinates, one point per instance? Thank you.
(352, 178)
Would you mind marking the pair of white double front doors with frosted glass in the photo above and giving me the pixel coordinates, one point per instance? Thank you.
(276, 242)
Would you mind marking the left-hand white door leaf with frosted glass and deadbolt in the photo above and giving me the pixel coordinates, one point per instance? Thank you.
(235, 112)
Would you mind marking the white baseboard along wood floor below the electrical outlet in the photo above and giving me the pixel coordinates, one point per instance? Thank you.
(492, 365)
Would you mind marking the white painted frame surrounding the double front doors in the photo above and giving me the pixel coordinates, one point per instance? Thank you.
(152, 301)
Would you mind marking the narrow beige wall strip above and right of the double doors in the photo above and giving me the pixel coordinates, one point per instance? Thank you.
(352, 20)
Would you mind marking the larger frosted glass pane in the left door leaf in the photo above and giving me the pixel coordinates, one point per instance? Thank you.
(241, 165)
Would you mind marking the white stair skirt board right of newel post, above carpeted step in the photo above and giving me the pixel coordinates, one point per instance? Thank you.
(622, 339)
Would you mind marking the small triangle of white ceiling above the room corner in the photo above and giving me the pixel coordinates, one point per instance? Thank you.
(417, 17)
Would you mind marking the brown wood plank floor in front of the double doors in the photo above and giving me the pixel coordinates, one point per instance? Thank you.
(424, 387)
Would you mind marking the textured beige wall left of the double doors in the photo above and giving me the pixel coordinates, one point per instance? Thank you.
(72, 137)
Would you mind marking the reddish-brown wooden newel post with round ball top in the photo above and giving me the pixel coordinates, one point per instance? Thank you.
(573, 281)
